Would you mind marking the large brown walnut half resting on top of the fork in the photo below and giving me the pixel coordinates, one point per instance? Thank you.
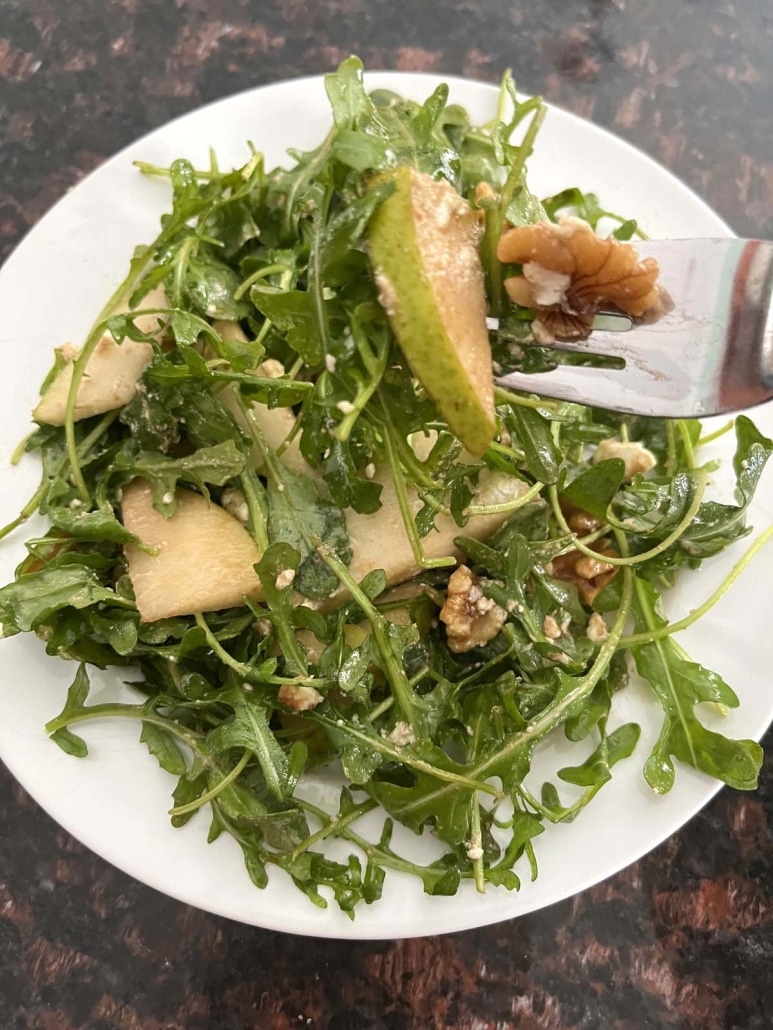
(570, 273)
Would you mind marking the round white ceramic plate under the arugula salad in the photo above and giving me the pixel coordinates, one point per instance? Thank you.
(116, 801)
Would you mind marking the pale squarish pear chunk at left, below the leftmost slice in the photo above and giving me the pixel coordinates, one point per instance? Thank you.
(205, 557)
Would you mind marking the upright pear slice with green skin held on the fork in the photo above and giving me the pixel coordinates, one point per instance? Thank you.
(424, 251)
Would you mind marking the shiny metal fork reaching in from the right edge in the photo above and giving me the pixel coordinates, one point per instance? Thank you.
(712, 354)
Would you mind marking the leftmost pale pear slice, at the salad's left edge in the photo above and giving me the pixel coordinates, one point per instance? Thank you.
(111, 376)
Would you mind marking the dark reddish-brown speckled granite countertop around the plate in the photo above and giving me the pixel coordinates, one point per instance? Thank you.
(683, 939)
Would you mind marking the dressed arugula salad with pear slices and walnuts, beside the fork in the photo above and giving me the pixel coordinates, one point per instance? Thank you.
(321, 540)
